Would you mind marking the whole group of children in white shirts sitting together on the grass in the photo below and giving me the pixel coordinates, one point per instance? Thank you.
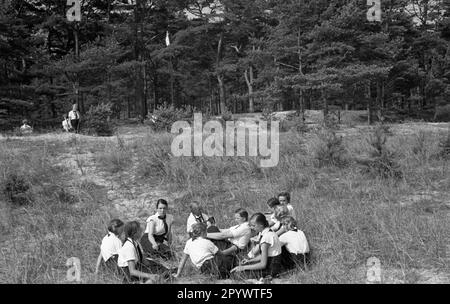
(260, 247)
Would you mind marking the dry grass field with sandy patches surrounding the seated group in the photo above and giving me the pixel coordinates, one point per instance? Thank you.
(58, 191)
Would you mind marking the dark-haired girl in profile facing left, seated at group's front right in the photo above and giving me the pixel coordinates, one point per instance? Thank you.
(265, 258)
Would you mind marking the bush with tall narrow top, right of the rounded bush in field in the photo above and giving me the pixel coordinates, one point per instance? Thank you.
(382, 161)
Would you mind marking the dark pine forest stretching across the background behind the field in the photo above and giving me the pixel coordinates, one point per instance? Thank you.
(223, 56)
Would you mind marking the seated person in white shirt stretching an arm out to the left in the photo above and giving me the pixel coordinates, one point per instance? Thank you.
(238, 236)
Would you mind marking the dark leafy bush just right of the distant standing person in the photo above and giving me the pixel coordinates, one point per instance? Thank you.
(97, 120)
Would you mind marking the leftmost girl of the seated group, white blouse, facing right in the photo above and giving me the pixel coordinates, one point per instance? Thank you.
(109, 249)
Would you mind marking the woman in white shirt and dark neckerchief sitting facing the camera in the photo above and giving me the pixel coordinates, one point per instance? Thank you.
(157, 238)
